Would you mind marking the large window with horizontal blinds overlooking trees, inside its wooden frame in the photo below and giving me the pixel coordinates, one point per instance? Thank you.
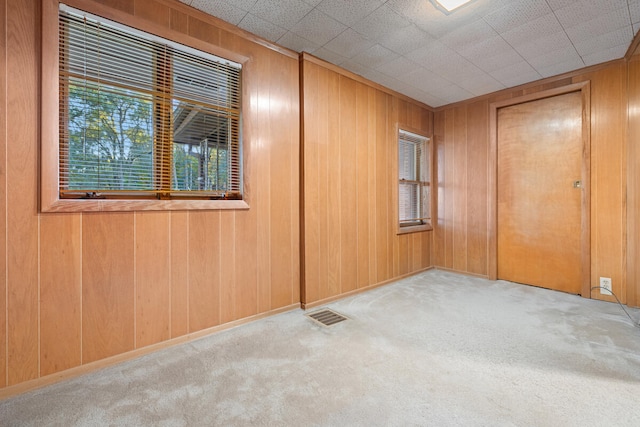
(144, 117)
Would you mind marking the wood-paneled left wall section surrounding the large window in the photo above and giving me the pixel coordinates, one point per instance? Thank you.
(78, 288)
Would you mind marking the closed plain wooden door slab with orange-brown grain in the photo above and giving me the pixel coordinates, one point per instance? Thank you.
(540, 149)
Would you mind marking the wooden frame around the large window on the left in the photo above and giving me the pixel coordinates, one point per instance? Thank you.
(50, 200)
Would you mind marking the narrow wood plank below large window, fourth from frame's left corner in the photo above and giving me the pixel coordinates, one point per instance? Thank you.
(179, 274)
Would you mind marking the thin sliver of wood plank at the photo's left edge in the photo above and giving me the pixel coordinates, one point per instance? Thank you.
(3, 193)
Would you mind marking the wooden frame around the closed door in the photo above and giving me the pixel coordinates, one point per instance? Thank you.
(585, 226)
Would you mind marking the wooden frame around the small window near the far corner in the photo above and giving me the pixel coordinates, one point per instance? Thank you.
(427, 224)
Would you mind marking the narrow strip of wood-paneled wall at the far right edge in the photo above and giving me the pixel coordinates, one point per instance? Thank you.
(633, 183)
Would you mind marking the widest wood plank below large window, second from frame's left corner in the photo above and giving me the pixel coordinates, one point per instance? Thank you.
(107, 285)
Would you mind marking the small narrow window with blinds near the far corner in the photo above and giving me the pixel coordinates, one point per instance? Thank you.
(413, 174)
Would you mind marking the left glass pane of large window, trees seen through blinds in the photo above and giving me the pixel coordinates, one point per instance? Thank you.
(110, 138)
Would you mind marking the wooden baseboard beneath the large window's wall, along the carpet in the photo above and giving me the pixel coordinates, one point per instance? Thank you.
(30, 385)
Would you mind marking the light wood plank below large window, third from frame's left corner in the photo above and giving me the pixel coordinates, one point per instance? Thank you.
(153, 277)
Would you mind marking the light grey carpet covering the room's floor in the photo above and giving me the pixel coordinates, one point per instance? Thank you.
(435, 349)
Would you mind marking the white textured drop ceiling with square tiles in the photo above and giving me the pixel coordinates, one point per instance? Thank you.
(415, 49)
